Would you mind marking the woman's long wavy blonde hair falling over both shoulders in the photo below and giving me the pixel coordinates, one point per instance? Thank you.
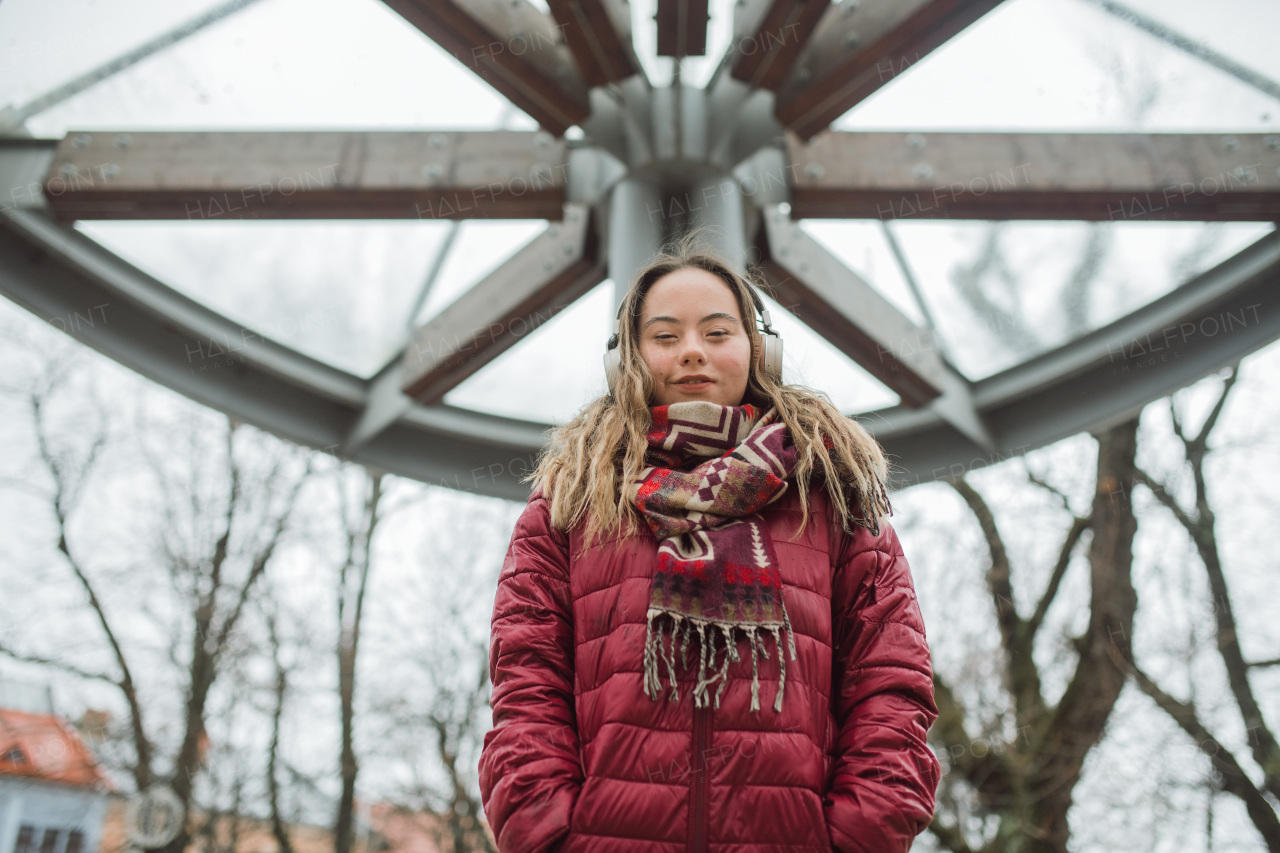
(586, 462)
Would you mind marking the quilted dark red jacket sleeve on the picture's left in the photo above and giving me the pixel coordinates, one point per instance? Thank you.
(531, 770)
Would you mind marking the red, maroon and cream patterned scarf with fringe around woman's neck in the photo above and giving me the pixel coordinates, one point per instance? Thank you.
(717, 569)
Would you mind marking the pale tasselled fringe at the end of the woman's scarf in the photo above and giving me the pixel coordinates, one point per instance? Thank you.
(656, 649)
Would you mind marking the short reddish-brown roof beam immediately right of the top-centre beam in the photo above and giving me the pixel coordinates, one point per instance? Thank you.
(769, 37)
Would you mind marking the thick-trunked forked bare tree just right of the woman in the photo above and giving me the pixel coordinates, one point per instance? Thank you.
(1027, 782)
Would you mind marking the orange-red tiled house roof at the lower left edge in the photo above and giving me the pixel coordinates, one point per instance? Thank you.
(43, 746)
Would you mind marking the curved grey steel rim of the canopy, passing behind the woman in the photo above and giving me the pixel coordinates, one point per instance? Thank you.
(71, 282)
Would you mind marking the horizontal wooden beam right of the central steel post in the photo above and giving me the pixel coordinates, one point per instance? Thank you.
(1099, 177)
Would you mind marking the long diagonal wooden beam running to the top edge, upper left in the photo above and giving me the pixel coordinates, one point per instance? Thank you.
(514, 47)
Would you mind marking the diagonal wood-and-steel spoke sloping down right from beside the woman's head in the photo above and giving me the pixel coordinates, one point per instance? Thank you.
(842, 307)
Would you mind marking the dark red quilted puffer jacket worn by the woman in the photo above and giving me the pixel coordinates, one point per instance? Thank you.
(582, 760)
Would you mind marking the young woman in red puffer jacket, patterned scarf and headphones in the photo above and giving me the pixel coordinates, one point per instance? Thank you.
(706, 635)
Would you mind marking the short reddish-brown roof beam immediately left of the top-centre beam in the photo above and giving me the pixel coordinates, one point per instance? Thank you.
(598, 34)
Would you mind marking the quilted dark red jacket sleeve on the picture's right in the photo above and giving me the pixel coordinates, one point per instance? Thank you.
(884, 776)
